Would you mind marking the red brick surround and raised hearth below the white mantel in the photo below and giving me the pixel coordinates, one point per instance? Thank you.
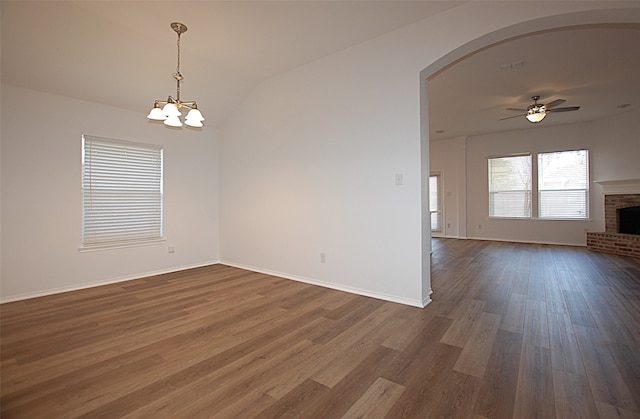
(610, 241)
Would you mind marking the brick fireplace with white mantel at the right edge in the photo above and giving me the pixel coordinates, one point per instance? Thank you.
(617, 195)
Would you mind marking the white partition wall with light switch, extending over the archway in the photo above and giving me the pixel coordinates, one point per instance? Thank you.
(310, 159)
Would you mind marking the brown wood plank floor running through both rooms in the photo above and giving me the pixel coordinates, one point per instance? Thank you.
(514, 331)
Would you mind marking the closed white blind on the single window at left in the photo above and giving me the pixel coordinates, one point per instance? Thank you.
(121, 191)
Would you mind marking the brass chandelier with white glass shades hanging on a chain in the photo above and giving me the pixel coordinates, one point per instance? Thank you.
(169, 110)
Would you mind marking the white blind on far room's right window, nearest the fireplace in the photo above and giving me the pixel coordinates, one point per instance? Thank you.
(563, 184)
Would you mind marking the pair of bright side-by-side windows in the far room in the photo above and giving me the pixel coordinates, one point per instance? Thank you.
(562, 185)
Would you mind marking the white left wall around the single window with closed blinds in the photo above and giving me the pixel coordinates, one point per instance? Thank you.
(41, 195)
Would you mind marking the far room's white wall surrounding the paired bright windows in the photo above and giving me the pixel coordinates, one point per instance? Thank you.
(614, 152)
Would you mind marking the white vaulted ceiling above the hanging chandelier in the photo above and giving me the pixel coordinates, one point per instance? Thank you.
(123, 53)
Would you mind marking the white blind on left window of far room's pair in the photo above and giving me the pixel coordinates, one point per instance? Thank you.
(510, 186)
